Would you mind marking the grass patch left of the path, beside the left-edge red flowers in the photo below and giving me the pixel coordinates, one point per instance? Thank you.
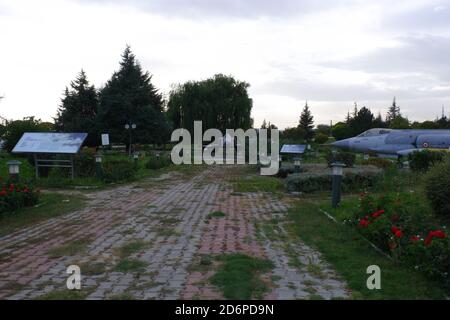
(50, 205)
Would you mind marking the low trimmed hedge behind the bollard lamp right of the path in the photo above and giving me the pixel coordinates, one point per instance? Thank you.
(313, 182)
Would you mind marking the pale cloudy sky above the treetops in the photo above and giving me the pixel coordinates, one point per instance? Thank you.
(329, 53)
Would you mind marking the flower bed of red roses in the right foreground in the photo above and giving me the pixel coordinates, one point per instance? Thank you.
(399, 224)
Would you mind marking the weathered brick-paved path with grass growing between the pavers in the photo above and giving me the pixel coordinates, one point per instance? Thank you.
(166, 222)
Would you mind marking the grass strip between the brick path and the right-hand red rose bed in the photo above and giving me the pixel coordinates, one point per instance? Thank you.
(350, 254)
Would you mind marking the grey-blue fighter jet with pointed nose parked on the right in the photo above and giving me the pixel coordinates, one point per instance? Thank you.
(395, 143)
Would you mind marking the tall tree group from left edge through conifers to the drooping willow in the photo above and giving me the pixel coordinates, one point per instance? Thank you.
(129, 97)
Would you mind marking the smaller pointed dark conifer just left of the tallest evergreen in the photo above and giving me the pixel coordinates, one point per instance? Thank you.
(78, 109)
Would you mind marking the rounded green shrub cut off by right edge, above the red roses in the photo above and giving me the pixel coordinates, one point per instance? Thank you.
(437, 186)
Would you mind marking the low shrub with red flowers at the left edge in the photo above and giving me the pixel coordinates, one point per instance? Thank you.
(15, 196)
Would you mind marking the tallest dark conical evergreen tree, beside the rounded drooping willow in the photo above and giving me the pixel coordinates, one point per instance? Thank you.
(130, 97)
